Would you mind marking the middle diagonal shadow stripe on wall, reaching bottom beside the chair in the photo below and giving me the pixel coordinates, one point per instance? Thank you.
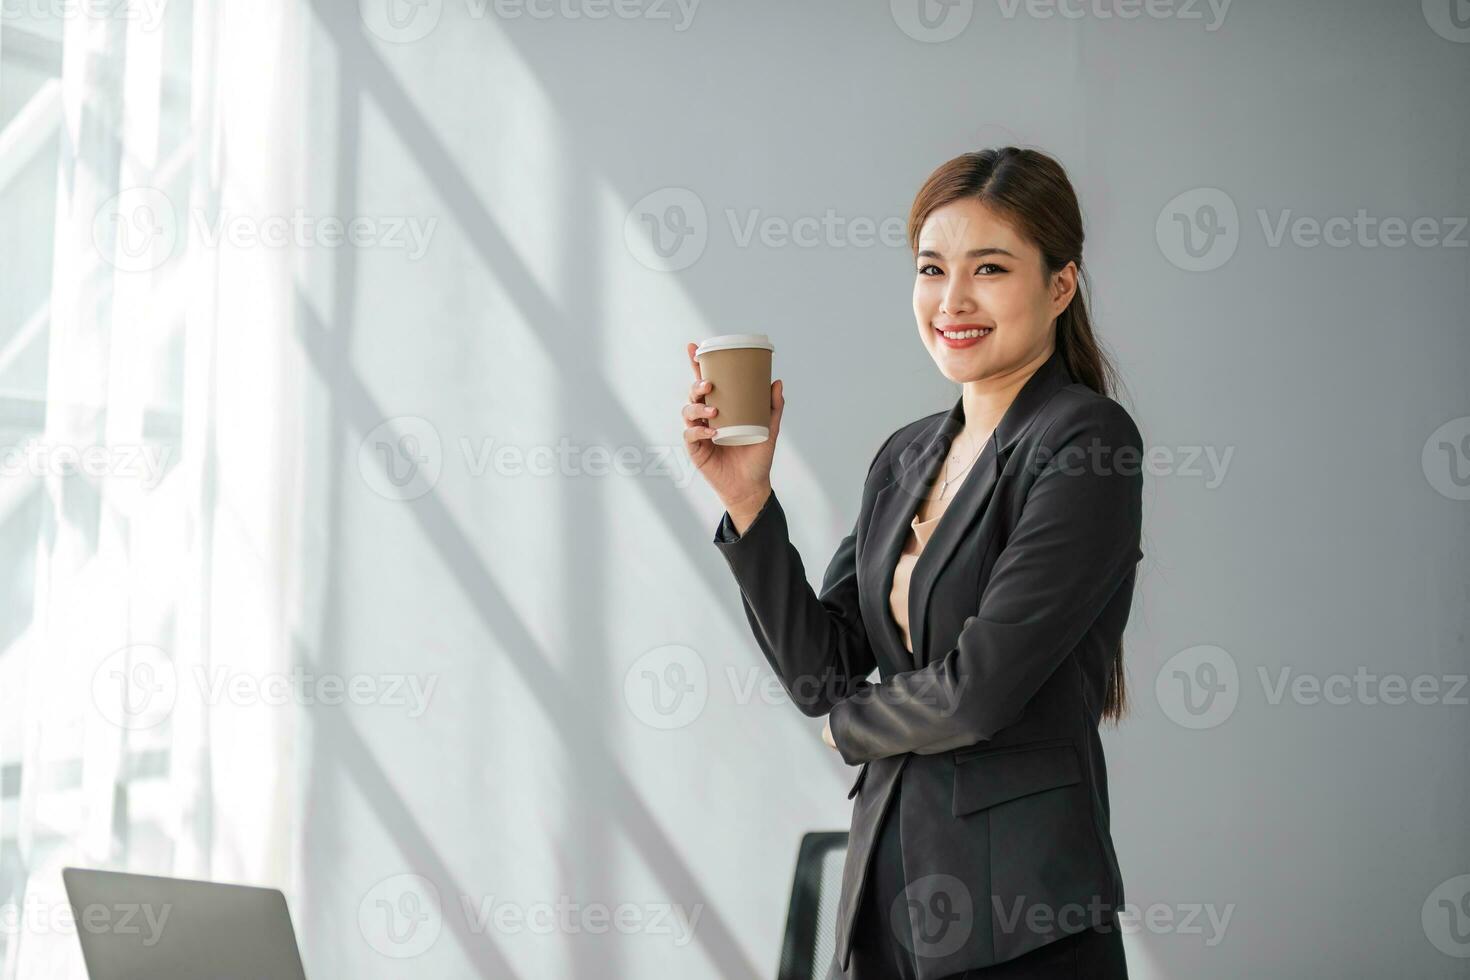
(556, 699)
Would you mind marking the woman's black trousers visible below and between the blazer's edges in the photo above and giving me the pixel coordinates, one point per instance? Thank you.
(1096, 954)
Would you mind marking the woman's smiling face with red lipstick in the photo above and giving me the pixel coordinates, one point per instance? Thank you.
(974, 271)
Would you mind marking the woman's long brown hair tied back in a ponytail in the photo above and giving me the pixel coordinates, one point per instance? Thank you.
(1034, 193)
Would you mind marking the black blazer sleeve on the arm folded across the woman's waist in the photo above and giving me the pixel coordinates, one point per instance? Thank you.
(1074, 546)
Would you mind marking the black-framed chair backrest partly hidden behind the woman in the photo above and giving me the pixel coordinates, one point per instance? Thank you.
(811, 941)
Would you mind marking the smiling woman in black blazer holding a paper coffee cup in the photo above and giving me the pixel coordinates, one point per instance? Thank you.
(989, 580)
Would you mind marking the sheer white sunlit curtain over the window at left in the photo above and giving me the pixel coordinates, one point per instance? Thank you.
(157, 569)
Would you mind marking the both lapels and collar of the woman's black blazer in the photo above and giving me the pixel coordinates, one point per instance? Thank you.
(917, 469)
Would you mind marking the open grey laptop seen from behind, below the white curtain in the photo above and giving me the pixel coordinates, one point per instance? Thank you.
(146, 928)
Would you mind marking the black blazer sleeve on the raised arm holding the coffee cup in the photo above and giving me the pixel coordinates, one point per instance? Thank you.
(815, 643)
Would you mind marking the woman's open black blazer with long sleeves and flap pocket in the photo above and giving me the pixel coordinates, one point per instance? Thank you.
(992, 725)
